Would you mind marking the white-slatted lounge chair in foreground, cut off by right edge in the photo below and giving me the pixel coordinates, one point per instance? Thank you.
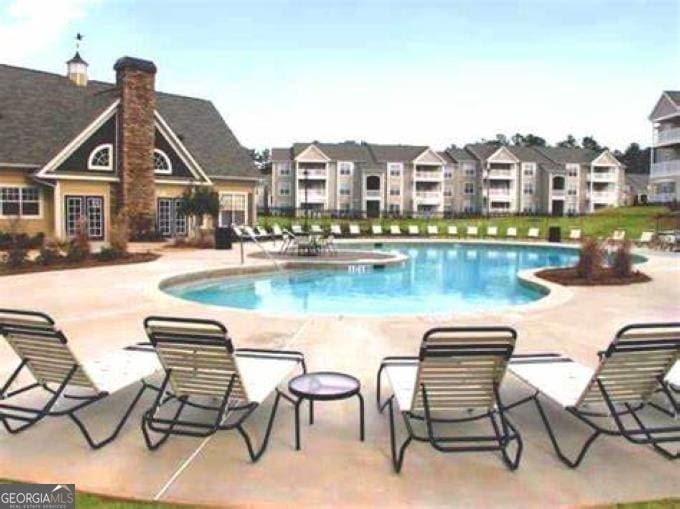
(630, 371)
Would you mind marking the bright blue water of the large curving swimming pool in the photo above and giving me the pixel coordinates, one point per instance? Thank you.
(437, 278)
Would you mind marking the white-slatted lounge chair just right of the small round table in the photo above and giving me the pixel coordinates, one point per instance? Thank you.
(457, 372)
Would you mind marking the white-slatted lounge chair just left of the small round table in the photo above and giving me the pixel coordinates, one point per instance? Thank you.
(201, 364)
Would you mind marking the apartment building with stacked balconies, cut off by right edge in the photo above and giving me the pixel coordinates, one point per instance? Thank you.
(664, 178)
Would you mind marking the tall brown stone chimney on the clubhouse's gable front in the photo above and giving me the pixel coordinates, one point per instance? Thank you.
(135, 80)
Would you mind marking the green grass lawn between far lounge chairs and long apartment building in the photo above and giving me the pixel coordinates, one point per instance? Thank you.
(634, 220)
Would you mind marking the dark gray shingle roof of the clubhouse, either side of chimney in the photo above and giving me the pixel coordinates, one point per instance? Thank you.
(41, 112)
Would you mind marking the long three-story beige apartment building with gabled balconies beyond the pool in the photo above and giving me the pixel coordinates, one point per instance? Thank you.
(485, 178)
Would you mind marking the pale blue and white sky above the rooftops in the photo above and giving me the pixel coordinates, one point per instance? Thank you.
(418, 71)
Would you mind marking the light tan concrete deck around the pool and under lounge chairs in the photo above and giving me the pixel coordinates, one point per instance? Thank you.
(102, 309)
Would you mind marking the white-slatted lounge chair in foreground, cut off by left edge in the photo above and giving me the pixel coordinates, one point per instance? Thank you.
(69, 384)
